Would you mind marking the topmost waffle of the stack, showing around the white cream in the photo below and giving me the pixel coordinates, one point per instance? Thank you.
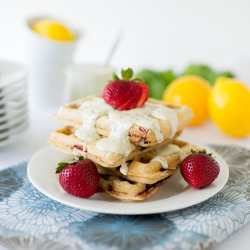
(71, 115)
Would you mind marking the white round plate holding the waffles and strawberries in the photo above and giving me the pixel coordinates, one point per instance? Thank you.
(174, 194)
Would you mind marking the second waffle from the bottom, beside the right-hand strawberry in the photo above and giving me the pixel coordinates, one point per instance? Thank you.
(143, 171)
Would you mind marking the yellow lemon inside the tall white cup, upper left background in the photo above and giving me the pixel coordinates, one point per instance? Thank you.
(53, 30)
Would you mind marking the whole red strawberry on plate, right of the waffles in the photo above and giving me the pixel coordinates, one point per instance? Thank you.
(199, 169)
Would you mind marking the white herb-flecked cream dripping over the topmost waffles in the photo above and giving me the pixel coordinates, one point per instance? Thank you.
(121, 121)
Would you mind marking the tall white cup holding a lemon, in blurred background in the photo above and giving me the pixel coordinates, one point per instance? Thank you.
(46, 61)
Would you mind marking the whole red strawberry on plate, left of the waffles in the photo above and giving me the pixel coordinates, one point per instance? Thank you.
(79, 178)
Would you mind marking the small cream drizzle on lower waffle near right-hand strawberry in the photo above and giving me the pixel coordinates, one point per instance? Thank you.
(164, 151)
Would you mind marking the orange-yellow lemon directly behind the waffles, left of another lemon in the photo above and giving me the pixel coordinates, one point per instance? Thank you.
(192, 91)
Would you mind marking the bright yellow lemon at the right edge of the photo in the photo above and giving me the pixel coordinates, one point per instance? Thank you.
(229, 106)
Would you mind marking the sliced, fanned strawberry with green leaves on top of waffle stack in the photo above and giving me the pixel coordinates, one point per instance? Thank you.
(125, 94)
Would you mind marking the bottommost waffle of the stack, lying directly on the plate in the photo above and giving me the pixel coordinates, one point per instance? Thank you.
(125, 190)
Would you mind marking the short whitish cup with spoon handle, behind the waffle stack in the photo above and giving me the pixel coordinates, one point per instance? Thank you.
(84, 80)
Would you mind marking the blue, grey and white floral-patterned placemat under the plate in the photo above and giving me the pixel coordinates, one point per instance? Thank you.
(30, 220)
